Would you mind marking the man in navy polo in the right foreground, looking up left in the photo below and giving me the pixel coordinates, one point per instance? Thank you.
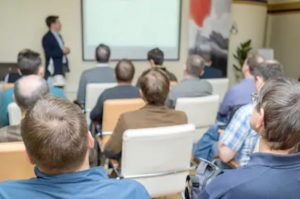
(274, 171)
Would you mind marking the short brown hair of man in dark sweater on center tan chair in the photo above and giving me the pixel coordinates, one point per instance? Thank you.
(124, 71)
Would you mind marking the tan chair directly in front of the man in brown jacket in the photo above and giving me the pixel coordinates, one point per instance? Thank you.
(112, 110)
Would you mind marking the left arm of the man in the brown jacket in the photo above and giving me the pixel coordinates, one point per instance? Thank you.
(114, 144)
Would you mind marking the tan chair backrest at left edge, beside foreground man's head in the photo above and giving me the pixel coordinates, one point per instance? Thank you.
(14, 164)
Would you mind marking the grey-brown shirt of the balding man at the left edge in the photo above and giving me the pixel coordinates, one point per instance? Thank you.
(10, 134)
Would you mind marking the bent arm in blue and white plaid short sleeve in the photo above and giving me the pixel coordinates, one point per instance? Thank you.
(234, 136)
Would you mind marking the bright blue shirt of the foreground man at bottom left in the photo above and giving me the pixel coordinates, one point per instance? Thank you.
(88, 184)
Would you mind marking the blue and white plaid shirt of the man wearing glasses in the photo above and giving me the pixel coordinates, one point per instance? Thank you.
(239, 136)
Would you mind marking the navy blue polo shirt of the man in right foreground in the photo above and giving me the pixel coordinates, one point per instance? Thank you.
(266, 176)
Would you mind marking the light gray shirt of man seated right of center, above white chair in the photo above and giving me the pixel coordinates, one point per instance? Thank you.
(193, 87)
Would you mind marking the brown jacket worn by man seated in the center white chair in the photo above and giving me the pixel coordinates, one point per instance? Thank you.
(149, 116)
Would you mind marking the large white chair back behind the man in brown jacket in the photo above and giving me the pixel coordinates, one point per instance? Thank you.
(158, 150)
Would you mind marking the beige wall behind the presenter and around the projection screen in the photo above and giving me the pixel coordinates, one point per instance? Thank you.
(22, 26)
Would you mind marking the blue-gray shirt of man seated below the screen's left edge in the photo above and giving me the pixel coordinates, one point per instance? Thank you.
(102, 73)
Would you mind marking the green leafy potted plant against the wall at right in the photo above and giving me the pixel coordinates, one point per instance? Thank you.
(241, 55)
